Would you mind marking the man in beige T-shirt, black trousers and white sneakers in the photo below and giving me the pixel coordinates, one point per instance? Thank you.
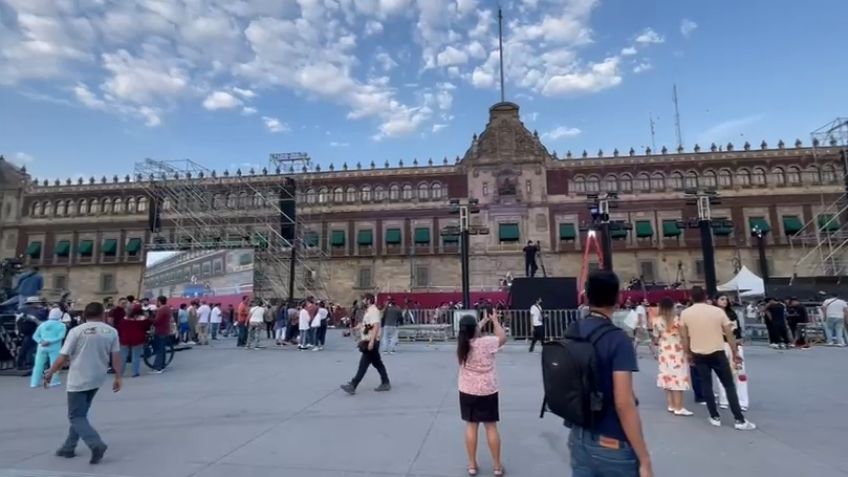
(702, 331)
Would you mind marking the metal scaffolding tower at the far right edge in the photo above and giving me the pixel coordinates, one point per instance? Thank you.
(823, 241)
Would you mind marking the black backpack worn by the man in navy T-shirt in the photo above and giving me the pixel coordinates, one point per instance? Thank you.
(570, 376)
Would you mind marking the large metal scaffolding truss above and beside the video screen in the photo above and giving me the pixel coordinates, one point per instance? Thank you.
(201, 209)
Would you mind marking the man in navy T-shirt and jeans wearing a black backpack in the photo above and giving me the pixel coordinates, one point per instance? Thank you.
(589, 383)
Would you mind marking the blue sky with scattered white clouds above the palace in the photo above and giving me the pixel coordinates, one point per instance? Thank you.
(88, 87)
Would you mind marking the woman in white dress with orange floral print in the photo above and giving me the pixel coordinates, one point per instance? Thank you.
(673, 374)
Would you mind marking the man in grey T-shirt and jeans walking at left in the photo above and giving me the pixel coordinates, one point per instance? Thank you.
(88, 347)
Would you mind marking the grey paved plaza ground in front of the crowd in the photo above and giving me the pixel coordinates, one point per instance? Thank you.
(223, 411)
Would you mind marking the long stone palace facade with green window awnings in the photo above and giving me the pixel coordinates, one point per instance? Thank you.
(380, 227)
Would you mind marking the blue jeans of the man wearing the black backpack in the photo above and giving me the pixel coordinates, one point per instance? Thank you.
(590, 459)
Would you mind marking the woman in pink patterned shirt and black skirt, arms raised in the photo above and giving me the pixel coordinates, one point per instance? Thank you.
(478, 385)
